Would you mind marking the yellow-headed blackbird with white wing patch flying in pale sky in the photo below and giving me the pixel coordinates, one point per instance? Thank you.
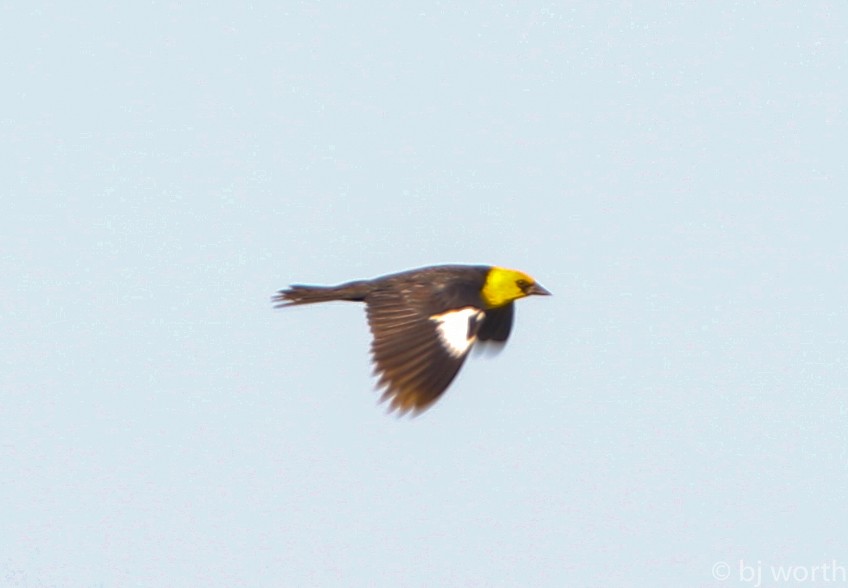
(425, 321)
